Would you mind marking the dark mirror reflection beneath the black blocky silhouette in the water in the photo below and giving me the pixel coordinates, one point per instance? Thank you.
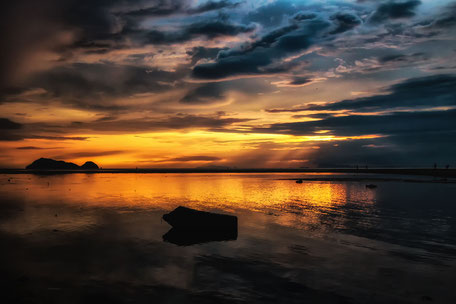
(186, 238)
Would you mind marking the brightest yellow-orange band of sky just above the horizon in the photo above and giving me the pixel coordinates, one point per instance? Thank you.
(165, 149)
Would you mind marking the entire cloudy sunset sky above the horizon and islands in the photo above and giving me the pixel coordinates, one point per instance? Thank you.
(242, 83)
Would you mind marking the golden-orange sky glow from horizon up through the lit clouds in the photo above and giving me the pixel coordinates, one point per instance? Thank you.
(111, 144)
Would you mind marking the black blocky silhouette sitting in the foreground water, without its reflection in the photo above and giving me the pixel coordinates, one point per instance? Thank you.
(193, 220)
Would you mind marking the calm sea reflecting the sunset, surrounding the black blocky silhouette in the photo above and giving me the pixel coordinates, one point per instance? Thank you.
(82, 238)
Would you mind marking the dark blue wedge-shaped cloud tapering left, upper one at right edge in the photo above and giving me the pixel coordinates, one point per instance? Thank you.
(429, 91)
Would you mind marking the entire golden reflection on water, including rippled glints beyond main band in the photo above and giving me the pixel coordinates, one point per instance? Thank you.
(290, 203)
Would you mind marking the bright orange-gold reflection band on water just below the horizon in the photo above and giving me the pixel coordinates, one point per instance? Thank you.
(218, 191)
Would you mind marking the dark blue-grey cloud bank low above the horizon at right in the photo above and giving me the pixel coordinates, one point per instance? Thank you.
(410, 138)
